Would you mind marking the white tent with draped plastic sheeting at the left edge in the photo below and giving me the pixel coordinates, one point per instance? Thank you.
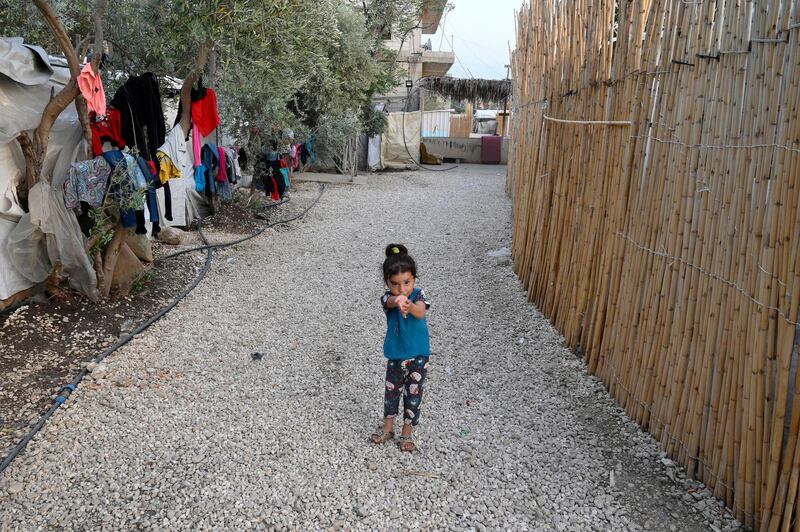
(31, 242)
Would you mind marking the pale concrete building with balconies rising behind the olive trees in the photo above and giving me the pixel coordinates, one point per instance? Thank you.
(416, 58)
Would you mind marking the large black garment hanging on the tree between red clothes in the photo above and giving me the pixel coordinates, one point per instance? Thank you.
(143, 125)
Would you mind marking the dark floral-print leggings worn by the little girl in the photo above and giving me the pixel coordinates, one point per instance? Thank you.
(406, 378)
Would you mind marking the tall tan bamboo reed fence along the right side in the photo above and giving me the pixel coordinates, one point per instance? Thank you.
(655, 181)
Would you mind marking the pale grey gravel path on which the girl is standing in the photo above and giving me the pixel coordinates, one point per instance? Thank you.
(182, 429)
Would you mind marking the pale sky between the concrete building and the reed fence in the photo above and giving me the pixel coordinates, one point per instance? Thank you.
(480, 32)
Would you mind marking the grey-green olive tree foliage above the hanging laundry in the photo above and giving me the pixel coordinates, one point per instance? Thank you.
(279, 64)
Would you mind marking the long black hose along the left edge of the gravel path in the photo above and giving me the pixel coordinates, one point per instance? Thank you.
(67, 390)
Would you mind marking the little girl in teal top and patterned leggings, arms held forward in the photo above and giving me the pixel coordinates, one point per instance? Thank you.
(406, 346)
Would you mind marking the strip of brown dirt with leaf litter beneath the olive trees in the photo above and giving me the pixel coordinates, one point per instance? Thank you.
(45, 343)
